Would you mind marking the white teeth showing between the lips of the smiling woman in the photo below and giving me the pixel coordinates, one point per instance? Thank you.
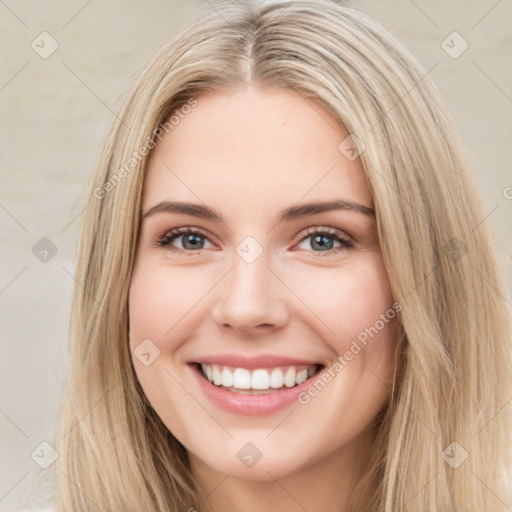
(258, 381)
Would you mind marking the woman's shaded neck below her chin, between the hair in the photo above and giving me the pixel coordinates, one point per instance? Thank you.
(323, 486)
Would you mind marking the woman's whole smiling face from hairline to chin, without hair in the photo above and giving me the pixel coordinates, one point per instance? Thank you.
(262, 329)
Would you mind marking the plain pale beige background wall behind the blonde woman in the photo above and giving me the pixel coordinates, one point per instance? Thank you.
(55, 113)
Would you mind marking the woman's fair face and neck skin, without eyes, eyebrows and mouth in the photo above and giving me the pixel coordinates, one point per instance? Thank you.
(250, 153)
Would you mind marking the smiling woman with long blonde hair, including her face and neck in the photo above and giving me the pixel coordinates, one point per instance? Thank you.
(287, 297)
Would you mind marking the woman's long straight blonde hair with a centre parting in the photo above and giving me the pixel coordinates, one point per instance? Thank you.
(455, 363)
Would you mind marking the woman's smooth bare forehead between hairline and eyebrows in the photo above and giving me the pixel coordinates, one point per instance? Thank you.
(254, 146)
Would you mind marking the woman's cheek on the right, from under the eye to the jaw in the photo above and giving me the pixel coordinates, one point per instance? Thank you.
(356, 304)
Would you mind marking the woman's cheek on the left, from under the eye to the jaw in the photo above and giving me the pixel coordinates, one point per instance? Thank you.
(160, 302)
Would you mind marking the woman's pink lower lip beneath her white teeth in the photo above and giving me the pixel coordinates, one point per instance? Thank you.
(249, 405)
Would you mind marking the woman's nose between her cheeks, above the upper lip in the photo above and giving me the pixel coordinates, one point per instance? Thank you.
(251, 299)
